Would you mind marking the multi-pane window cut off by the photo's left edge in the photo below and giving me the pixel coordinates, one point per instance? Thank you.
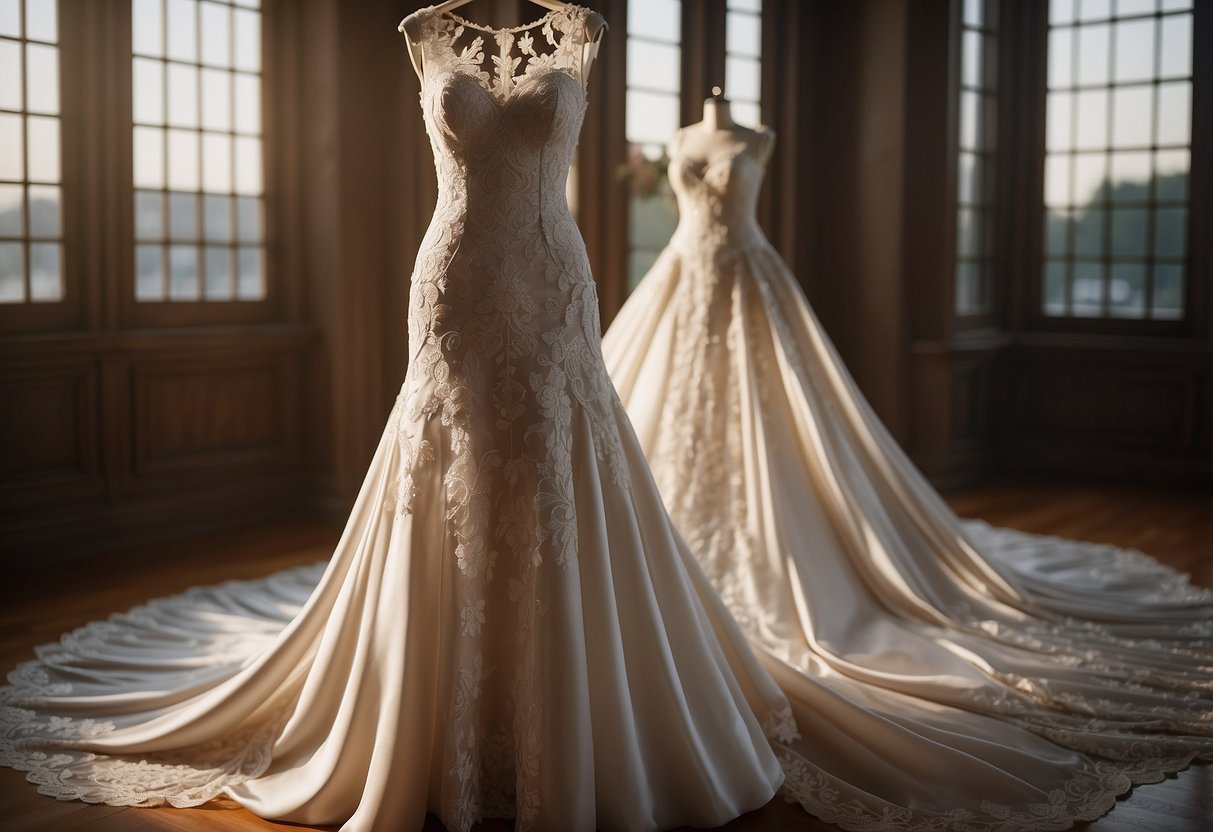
(31, 179)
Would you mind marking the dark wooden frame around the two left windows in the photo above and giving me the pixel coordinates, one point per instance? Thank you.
(99, 189)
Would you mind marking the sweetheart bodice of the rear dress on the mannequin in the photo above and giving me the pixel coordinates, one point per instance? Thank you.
(717, 203)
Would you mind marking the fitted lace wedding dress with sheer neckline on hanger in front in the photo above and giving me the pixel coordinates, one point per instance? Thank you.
(510, 626)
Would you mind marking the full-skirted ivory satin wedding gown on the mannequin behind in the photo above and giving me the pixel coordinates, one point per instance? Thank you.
(922, 656)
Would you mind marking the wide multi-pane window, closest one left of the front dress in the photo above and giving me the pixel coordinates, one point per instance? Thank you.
(200, 213)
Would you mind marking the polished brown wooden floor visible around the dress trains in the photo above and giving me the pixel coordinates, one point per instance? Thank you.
(1175, 527)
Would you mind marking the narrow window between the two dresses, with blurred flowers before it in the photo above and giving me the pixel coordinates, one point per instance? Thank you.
(654, 98)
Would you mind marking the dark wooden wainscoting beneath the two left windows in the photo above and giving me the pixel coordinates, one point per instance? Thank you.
(117, 438)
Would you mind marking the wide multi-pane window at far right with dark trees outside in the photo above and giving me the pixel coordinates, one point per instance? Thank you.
(1118, 155)
